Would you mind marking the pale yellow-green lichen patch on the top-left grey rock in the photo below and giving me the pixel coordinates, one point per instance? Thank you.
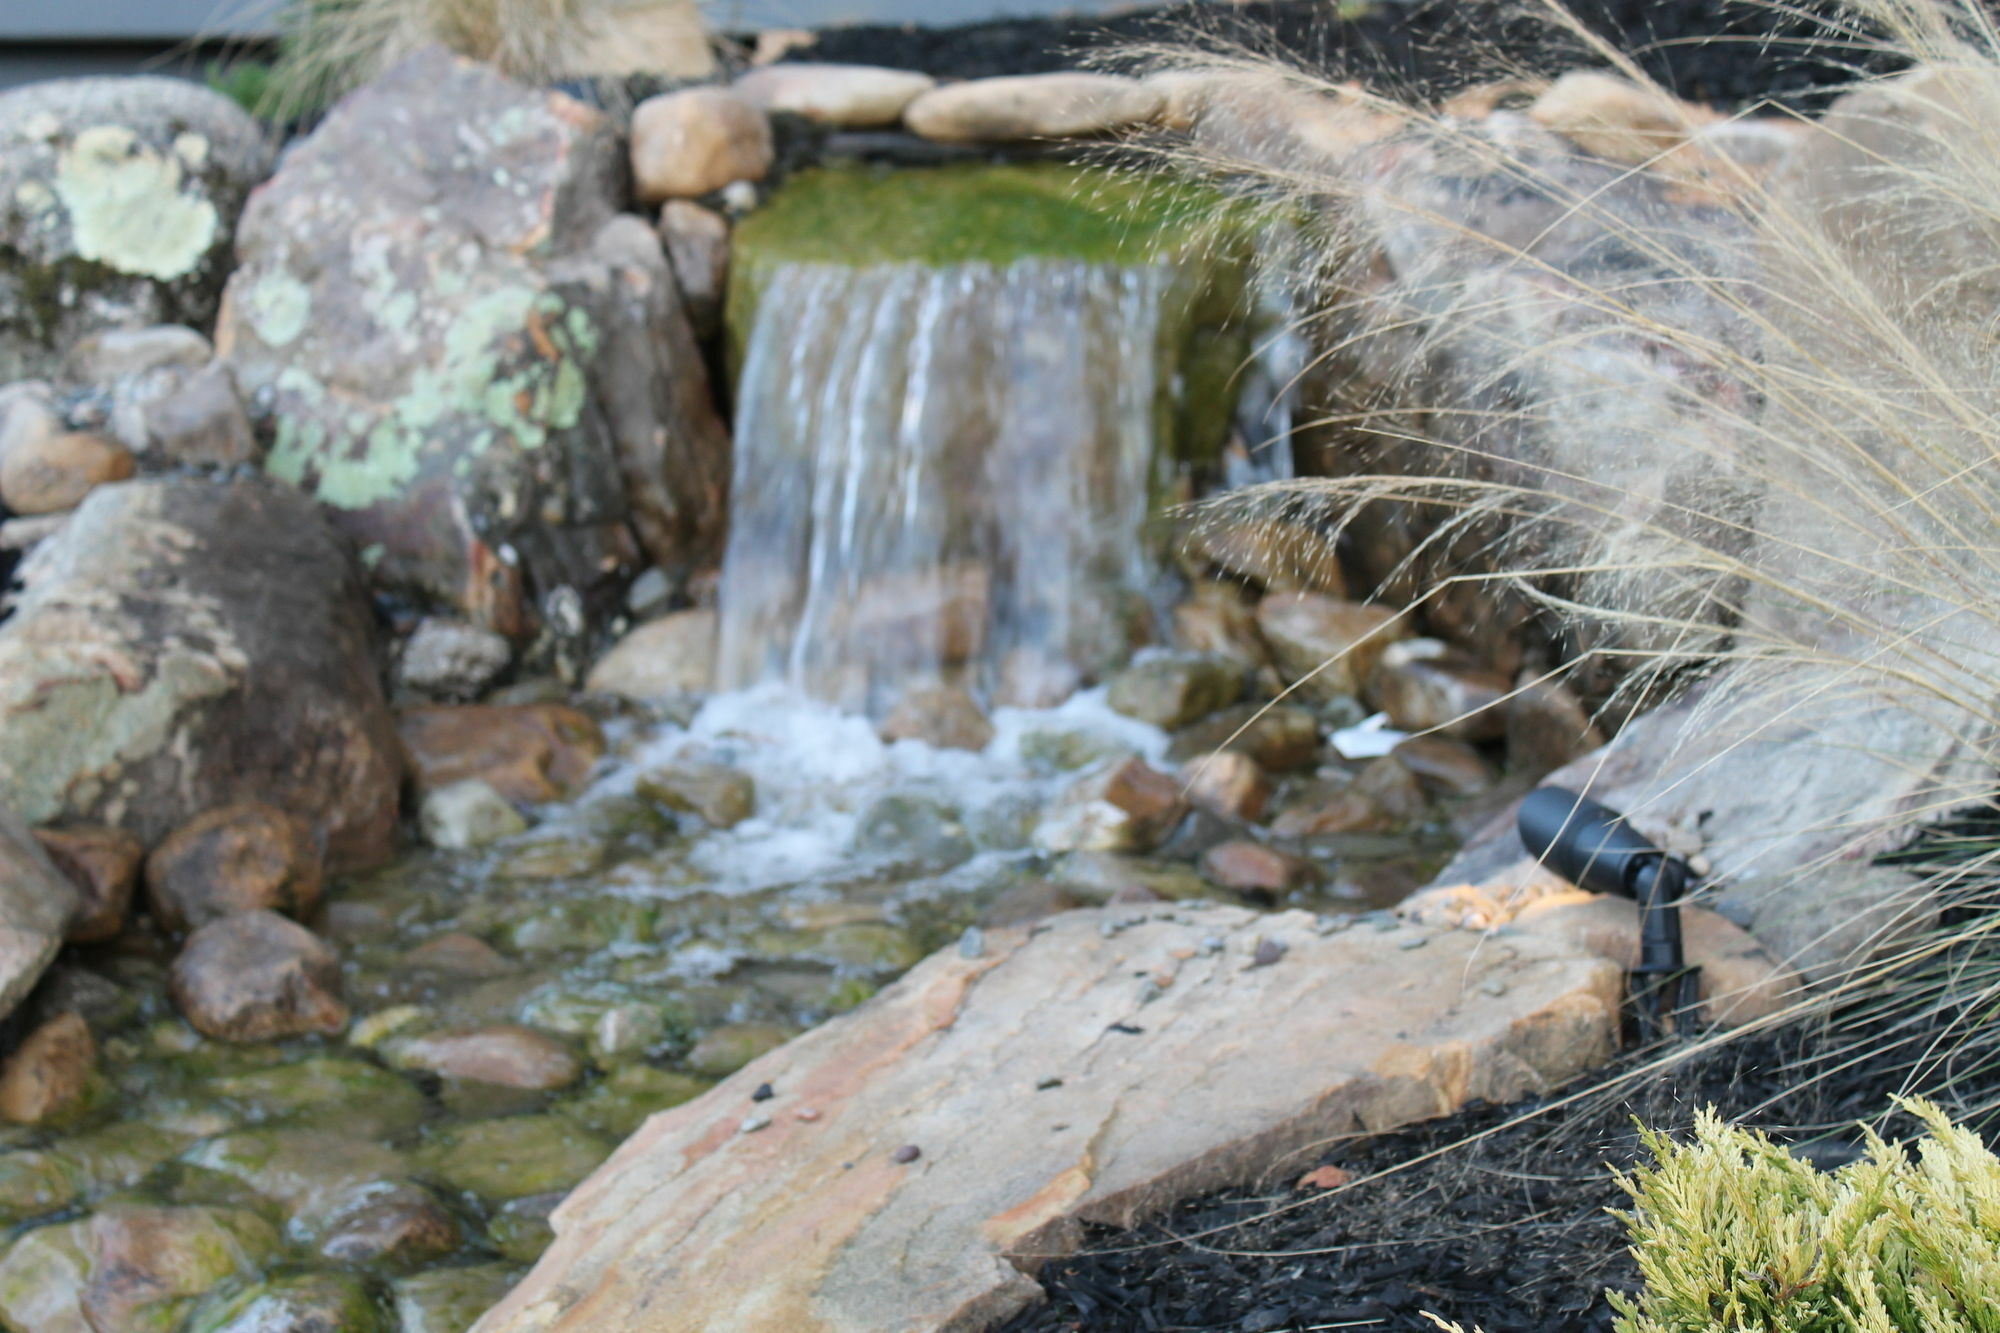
(127, 209)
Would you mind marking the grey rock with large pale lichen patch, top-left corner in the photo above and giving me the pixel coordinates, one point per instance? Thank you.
(121, 201)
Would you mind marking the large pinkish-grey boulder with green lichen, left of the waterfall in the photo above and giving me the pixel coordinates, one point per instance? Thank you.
(471, 355)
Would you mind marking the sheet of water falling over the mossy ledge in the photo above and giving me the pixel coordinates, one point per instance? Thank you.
(943, 473)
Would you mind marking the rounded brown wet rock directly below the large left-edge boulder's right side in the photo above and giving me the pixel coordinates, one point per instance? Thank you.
(237, 860)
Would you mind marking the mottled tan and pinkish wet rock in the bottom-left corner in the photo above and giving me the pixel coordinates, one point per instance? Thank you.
(129, 1268)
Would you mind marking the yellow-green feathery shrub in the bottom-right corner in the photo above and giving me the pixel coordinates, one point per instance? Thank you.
(1731, 1232)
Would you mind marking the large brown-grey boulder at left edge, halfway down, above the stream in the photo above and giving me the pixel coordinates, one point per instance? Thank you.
(185, 645)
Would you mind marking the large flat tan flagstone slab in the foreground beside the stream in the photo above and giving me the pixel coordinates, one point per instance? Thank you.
(1095, 1068)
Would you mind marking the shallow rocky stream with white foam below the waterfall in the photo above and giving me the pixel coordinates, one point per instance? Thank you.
(517, 1008)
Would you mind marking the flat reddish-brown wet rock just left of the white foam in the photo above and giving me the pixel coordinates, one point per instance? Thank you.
(529, 754)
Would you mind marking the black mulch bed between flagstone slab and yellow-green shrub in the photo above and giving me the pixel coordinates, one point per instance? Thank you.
(1511, 1232)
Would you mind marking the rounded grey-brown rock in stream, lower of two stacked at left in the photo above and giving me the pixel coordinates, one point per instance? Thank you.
(259, 978)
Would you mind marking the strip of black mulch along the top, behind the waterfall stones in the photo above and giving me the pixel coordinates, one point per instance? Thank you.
(1709, 51)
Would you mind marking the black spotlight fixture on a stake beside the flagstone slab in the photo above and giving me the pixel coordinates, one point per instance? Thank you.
(1595, 848)
